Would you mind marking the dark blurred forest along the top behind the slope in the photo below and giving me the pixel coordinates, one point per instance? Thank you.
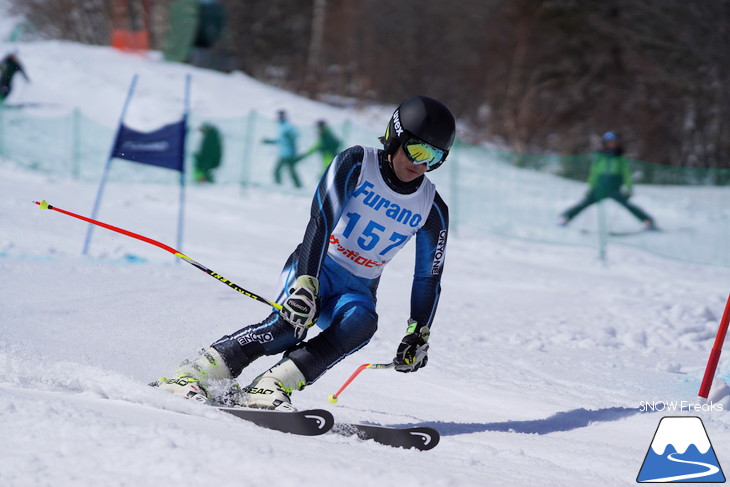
(534, 75)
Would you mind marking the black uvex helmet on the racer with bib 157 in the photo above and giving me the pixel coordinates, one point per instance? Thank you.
(423, 118)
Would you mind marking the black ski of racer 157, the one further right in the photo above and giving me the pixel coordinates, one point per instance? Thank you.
(419, 437)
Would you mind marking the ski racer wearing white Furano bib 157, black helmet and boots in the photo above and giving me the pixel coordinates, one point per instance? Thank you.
(369, 203)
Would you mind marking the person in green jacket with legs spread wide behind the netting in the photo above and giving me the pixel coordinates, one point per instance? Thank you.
(610, 177)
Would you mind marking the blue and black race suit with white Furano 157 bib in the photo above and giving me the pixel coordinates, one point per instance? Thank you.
(358, 223)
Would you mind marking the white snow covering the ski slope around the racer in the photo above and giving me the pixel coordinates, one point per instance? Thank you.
(542, 360)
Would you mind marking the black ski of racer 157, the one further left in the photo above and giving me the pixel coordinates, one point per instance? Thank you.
(309, 422)
